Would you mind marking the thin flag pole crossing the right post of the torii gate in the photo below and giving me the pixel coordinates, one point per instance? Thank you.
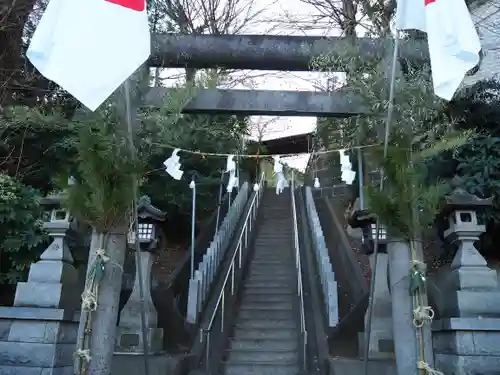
(390, 112)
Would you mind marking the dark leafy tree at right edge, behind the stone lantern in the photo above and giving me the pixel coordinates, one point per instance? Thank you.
(475, 165)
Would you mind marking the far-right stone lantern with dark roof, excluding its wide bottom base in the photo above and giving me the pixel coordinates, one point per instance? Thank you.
(469, 277)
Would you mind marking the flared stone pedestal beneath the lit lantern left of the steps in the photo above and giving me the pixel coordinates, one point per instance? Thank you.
(129, 338)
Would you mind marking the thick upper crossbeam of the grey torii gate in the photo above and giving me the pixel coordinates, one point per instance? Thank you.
(266, 52)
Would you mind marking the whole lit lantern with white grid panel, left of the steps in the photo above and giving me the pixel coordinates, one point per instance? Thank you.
(150, 237)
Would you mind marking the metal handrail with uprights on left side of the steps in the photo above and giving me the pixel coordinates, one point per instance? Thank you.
(241, 245)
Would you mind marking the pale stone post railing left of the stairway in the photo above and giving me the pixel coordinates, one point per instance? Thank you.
(204, 275)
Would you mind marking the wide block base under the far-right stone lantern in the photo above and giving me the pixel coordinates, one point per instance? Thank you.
(467, 346)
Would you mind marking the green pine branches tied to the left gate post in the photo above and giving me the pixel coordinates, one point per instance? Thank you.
(104, 171)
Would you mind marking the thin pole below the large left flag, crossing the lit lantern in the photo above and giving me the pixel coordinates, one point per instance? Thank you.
(135, 218)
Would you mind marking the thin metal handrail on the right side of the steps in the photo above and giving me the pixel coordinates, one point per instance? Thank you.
(298, 266)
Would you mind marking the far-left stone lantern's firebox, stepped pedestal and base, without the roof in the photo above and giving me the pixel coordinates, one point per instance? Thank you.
(39, 332)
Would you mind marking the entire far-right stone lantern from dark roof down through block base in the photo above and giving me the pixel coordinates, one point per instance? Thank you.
(467, 335)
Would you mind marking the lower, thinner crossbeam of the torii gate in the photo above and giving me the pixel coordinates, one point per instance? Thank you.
(265, 103)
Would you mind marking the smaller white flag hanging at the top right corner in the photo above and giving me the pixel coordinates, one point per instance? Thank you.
(454, 45)
